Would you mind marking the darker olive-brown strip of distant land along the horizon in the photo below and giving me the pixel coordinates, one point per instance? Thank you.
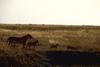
(43, 27)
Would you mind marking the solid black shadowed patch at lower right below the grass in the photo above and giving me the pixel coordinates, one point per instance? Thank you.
(70, 58)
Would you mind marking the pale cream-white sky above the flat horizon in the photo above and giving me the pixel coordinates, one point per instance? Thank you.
(64, 12)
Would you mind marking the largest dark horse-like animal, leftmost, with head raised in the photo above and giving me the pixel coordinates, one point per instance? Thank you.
(19, 40)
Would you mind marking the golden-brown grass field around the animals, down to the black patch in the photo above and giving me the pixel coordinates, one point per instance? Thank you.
(83, 38)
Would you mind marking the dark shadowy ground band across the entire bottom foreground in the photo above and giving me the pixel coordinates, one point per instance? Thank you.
(61, 58)
